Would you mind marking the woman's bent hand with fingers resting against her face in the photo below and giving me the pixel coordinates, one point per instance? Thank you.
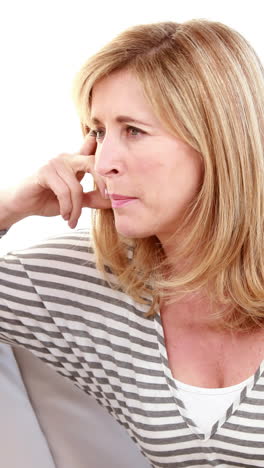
(55, 188)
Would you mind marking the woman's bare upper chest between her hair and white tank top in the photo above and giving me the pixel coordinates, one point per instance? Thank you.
(204, 358)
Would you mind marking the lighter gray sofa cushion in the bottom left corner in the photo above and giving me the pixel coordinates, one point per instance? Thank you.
(22, 442)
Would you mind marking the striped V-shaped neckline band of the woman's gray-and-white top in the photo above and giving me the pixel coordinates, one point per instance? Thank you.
(248, 386)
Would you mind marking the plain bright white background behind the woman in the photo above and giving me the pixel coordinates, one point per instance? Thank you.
(43, 44)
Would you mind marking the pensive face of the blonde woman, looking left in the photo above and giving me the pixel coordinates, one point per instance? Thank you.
(138, 158)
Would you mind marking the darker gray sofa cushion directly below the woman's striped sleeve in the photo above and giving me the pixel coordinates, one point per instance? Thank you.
(80, 433)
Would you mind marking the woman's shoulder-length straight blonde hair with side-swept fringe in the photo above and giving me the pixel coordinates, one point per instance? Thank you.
(205, 83)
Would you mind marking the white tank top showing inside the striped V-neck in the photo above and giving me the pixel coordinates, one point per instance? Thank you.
(207, 405)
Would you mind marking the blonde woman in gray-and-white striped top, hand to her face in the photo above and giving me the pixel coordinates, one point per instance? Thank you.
(159, 315)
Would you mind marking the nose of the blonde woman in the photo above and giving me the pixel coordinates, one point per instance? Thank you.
(108, 160)
